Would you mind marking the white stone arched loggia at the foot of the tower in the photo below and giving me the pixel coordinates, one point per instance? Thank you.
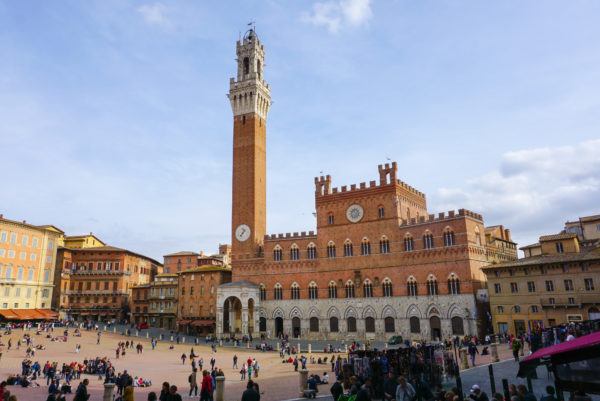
(238, 305)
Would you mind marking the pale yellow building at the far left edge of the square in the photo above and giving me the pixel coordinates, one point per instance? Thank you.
(27, 260)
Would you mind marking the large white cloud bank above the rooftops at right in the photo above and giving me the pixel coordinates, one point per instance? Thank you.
(534, 191)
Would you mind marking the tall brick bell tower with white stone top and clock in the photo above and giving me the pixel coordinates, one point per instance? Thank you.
(250, 100)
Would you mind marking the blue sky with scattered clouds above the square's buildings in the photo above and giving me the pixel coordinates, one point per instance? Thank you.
(114, 117)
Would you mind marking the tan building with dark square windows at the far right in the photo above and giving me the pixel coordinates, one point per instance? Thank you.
(558, 281)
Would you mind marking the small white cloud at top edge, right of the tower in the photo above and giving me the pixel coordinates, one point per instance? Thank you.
(335, 14)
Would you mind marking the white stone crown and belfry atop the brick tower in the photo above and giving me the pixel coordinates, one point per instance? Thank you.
(250, 93)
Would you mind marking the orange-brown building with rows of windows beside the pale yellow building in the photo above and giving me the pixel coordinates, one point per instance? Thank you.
(96, 283)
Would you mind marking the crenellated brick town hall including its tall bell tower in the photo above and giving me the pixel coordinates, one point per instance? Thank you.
(379, 263)
